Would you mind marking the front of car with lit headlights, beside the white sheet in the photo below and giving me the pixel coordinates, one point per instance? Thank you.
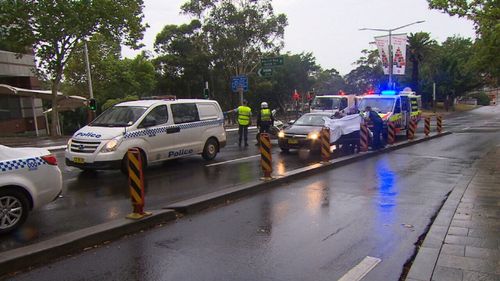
(304, 132)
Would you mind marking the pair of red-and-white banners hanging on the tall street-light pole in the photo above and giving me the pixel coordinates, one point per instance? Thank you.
(398, 42)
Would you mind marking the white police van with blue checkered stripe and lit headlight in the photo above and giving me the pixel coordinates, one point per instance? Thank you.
(160, 129)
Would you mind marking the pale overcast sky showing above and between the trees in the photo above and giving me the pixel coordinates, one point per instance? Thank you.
(329, 28)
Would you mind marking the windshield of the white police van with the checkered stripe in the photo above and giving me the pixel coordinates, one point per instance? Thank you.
(119, 116)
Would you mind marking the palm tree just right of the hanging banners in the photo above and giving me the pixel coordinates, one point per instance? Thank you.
(419, 46)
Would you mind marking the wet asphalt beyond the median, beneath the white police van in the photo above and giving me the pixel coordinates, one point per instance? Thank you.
(91, 198)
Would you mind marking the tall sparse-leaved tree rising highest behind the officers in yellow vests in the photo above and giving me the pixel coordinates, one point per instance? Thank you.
(238, 32)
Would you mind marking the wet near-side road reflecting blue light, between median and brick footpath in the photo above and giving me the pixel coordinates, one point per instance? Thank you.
(312, 229)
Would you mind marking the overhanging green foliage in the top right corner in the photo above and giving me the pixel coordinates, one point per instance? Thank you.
(486, 17)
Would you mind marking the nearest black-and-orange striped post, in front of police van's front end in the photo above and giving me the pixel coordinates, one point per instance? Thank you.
(136, 184)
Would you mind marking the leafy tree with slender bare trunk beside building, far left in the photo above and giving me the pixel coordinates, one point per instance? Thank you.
(54, 28)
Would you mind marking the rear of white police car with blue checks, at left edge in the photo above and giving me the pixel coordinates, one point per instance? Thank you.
(29, 178)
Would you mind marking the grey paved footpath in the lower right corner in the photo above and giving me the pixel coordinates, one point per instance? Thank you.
(463, 242)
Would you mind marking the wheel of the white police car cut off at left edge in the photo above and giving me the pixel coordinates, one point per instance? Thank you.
(14, 208)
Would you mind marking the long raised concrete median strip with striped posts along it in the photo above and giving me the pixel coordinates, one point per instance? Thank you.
(42, 252)
